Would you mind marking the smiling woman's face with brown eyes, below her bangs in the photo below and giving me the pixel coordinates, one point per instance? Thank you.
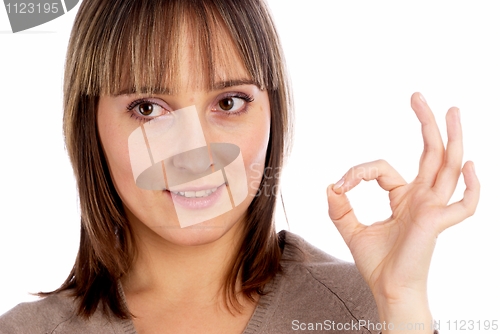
(236, 114)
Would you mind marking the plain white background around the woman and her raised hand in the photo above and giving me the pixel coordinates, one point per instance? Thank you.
(354, 66)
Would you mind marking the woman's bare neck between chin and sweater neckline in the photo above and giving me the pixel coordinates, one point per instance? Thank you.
(180, 274)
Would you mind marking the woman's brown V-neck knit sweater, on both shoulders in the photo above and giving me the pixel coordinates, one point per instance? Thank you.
(320, 294)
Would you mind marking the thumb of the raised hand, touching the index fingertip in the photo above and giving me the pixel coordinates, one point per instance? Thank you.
(341, 212)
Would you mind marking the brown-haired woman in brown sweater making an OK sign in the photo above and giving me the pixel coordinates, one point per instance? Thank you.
(143, 268)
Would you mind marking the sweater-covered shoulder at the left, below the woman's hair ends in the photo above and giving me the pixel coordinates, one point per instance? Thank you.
(54, 314)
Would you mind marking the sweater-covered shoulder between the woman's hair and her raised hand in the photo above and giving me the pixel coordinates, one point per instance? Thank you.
(319, 290)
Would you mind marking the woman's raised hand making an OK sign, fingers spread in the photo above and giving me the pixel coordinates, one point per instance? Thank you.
(394, 255)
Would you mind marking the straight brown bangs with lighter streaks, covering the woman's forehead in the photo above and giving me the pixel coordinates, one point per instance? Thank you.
(135, 47)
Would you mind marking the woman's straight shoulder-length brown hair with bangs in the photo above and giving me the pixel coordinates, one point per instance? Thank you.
(133, 44)
